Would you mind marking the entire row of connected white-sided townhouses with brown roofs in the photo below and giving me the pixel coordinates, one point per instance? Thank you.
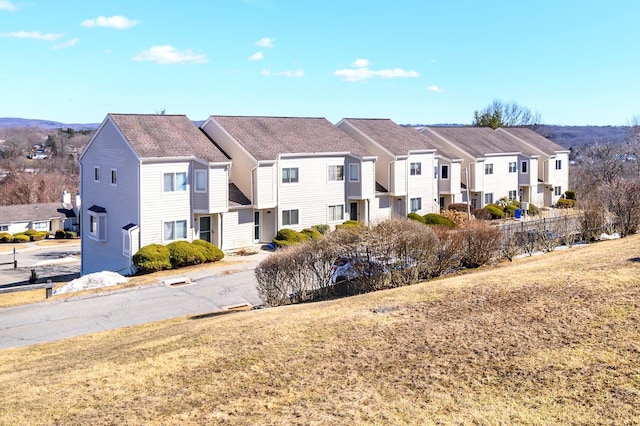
(235, 181)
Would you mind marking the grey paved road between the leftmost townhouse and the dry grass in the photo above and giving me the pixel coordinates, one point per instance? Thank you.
(211, 290)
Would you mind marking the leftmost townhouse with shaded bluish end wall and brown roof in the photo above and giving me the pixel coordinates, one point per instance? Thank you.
(147, 179)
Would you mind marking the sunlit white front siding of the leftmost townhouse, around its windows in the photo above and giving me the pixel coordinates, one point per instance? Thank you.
(158, 206)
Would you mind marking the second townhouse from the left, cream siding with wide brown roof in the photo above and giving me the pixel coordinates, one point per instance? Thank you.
(297, 172)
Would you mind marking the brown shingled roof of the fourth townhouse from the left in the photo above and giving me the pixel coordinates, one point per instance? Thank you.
(481, 141)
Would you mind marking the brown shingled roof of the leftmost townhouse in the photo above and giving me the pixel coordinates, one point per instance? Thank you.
(159, 135)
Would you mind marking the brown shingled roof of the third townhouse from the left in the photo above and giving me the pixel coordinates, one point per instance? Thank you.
(394, 138)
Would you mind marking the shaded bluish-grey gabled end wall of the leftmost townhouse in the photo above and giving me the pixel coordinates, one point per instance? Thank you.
(108, 150)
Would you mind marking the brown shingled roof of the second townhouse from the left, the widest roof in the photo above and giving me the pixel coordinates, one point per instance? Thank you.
(267, 137)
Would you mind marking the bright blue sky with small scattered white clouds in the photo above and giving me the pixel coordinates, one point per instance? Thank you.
(74, 61)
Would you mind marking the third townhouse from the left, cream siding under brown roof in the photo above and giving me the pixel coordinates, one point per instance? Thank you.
(404, 169)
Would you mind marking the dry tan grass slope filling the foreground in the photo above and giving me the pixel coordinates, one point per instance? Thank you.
(550, 339)
